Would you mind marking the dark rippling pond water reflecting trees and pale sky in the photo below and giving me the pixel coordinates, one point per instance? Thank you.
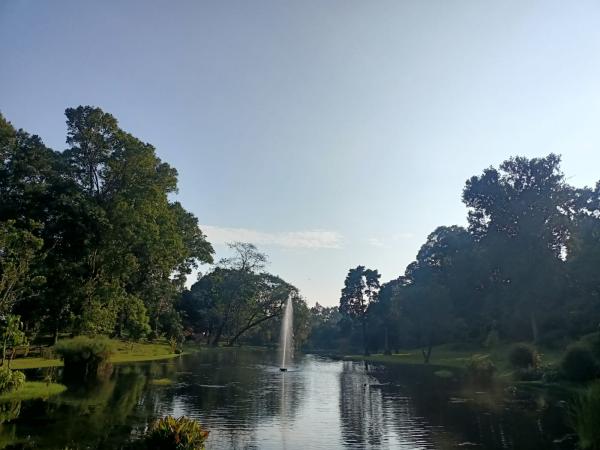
(246, 403)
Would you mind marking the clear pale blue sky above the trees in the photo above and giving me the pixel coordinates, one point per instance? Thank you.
(330, 133)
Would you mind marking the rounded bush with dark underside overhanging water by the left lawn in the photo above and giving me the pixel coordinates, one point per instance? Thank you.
(84, 357)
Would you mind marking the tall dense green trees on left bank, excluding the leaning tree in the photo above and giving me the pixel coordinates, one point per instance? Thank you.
(90, 242)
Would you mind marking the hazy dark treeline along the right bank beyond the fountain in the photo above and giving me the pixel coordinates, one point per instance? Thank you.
(526, 268)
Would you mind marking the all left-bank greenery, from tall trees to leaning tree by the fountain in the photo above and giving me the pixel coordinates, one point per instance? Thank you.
(92, 244)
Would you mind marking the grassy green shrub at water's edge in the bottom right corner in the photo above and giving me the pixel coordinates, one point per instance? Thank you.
(584, 418)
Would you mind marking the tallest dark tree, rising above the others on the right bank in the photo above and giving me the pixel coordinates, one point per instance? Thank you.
(520, 215)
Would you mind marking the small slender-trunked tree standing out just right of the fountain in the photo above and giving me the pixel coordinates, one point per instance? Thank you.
(360, 290)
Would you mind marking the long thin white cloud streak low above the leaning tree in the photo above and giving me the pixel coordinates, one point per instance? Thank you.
(312, 239)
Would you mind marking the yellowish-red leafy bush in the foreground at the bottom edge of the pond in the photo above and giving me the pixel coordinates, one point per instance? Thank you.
(170, 433)
